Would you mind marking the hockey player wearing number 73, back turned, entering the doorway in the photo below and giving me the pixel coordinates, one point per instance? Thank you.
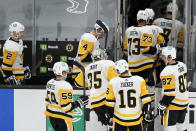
(140, 47)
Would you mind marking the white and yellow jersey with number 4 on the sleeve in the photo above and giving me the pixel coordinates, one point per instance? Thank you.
(88, 43)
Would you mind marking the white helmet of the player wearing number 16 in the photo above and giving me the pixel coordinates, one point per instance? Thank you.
(121, 66)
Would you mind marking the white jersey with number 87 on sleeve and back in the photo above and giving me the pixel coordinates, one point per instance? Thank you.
(174, 83)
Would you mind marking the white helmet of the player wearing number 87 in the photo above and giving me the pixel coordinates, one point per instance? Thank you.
(169, 51)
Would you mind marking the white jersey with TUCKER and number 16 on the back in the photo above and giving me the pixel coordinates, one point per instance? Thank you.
(127, 95)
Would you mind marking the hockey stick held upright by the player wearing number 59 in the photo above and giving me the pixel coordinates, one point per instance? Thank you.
(79, 65)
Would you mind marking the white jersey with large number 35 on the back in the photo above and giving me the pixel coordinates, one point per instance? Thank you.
(97, 76)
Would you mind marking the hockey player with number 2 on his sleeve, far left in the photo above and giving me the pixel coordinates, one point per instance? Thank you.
(12, 65)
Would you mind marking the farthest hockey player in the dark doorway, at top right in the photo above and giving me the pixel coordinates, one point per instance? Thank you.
(166, 25)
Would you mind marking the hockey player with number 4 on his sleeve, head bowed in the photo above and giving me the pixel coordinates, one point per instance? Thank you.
(88, 43)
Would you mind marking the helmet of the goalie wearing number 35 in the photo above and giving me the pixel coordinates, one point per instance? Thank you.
(99, 54)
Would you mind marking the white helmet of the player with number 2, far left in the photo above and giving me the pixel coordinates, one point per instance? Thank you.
(17, 27)
